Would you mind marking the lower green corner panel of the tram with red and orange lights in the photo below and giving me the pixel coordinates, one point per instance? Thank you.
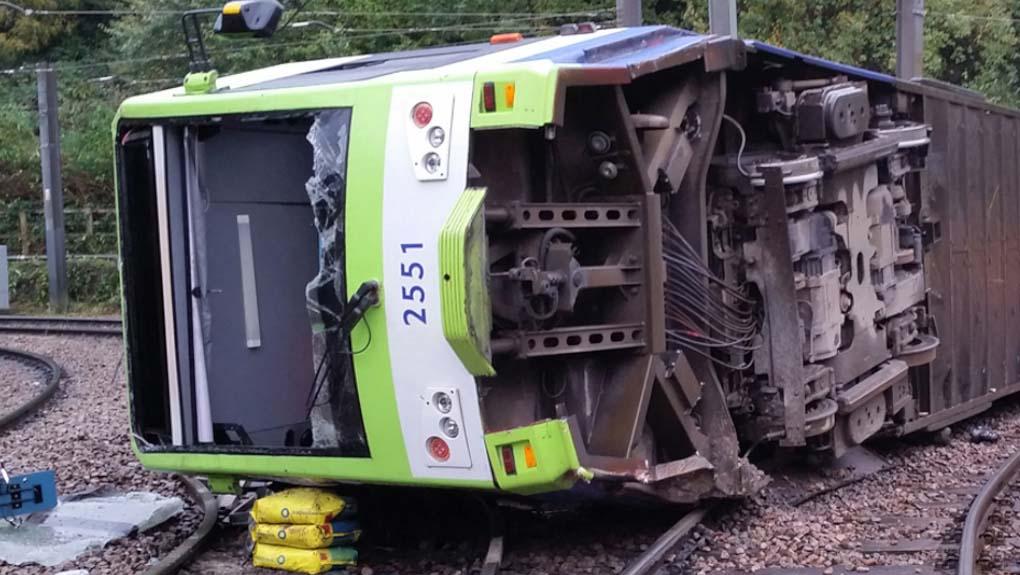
(557, 466)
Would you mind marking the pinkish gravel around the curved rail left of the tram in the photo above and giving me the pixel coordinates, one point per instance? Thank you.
(82, 434)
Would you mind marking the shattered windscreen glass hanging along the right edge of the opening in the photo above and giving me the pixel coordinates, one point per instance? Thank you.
(336, 414)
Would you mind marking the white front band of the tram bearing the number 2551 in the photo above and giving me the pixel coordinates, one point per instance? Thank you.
(414, 214)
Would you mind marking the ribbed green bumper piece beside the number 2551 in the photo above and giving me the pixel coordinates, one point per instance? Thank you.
(465, 295)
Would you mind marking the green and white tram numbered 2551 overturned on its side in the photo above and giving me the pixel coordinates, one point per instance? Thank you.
(609, 260)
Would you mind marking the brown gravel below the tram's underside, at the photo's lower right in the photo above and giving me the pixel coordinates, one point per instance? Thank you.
(924, 495)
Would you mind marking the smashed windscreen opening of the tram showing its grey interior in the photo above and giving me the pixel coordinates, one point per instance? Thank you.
(253, 222)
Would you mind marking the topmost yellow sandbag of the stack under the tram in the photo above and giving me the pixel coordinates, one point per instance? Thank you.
(301, 506)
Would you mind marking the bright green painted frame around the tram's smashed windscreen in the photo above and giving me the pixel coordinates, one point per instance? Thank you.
(388, 464)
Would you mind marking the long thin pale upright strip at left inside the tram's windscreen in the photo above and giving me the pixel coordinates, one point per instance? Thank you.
(160, 159)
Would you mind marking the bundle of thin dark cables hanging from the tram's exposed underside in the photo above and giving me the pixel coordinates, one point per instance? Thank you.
(704, 315)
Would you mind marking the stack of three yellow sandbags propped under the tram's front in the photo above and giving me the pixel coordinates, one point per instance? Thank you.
(304, 531)
